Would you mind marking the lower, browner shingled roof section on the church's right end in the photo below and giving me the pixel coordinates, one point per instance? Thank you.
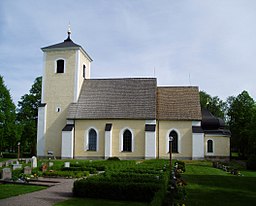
(178, 103)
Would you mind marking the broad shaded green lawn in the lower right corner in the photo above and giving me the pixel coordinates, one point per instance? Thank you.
(211, 186)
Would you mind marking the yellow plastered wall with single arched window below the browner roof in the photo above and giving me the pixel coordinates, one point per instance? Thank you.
(184, 131)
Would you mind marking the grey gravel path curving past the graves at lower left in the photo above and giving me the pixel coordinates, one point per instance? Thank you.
(60, 192)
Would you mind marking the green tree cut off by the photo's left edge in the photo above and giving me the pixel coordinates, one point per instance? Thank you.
(8, 137)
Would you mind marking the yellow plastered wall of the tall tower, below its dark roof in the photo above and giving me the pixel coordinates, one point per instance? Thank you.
(59, 91)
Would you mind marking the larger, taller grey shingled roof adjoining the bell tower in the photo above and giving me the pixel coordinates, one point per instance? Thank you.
(126, 98)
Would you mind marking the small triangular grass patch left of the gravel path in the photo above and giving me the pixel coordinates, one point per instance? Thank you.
(9, 190)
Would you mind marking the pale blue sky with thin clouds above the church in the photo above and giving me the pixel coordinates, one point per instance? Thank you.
(206, 43)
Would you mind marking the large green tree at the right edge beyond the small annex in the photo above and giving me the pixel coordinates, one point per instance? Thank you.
(242, 116)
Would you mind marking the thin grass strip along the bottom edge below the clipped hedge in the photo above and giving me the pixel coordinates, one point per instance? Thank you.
(97, 202)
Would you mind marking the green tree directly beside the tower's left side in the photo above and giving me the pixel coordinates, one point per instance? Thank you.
(28, 115)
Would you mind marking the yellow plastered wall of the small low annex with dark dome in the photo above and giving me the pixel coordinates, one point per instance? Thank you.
(221, 145)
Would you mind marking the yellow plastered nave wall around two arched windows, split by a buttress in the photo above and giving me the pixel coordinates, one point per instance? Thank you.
(137, 127)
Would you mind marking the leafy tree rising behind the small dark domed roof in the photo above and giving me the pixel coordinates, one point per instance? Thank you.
(215, 105)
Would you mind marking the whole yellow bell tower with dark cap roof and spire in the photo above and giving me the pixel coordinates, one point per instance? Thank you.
(65, 67)
